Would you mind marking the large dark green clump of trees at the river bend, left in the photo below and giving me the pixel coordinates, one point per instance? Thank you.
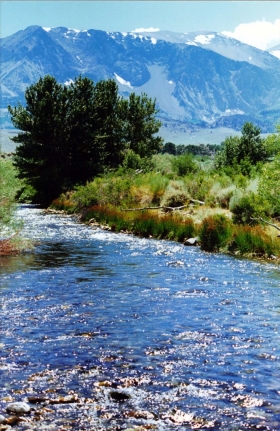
(71, 134)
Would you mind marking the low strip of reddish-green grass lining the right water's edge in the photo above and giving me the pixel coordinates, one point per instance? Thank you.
(210, 229)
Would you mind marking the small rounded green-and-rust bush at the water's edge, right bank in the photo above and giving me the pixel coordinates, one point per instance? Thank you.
(215, 232)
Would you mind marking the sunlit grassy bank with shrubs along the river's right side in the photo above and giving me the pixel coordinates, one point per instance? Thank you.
(210, 202)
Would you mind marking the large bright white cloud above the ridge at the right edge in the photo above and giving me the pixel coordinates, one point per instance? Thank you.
(260, 34)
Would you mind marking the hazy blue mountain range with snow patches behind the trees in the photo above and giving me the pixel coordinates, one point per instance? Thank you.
(200, 79)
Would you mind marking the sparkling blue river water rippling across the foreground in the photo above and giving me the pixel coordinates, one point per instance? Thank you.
(145, 334)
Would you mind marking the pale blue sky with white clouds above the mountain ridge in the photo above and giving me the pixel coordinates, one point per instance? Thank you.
(256, 23)
